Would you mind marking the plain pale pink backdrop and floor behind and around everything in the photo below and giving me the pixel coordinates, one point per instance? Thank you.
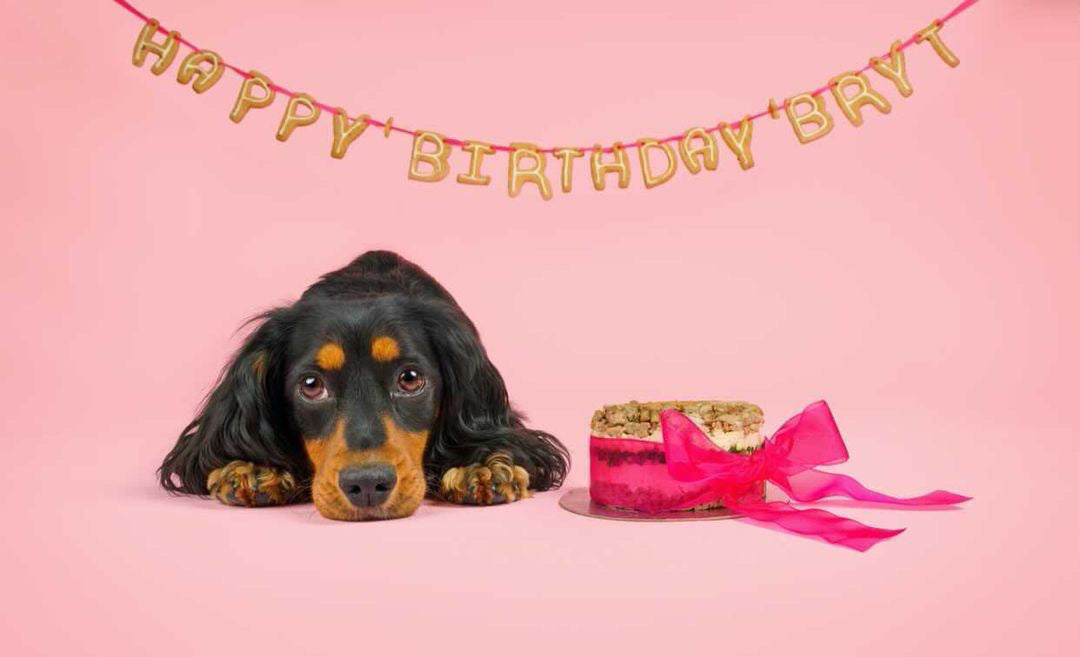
(920, 273)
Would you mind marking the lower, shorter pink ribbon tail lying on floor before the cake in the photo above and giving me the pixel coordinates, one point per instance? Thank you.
(817, 522)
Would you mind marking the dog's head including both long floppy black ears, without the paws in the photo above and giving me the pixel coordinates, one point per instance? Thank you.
(356, 397)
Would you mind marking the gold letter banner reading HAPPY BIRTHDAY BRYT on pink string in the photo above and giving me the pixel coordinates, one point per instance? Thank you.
(698, 149)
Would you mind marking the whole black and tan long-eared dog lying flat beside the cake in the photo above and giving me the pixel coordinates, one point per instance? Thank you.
(366, 396)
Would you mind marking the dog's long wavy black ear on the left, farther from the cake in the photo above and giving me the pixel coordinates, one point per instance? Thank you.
(244, 419)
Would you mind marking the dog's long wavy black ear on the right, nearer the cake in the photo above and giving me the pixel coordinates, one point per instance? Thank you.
(476, 417)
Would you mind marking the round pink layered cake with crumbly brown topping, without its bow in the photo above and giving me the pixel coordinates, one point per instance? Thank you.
(628, 465)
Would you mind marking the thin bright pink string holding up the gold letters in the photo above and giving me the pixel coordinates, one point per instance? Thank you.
(389, 127)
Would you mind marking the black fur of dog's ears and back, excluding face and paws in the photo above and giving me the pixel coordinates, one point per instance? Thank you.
(249, 417)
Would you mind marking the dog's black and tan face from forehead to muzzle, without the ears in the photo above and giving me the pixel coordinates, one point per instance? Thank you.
(364, 386)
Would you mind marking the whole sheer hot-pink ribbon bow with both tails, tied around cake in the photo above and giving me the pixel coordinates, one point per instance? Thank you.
(789, 461)
